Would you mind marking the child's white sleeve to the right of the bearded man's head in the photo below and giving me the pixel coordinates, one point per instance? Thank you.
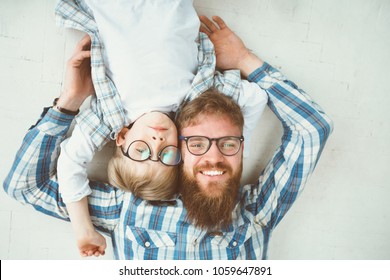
(252, 101)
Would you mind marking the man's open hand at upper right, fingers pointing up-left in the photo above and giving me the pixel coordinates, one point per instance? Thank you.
(229, 48)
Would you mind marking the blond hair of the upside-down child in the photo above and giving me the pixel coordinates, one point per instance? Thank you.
(150, 184)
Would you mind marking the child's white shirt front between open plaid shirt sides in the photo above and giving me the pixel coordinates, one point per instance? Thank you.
(151, 52)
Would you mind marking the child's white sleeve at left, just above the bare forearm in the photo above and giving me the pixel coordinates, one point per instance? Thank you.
(76, 152)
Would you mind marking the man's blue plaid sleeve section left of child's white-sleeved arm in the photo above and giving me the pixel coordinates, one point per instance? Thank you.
(32, 179)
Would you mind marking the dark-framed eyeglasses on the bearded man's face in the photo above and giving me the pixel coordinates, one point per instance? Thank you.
(199, 145)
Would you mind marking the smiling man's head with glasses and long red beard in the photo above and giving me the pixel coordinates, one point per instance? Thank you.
(211, 173)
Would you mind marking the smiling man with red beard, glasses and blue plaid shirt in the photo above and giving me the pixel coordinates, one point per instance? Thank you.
(213, 217)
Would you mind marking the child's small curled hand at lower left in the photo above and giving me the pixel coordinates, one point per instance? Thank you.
(92, 244)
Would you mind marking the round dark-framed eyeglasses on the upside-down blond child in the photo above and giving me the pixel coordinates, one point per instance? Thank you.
(140, 151)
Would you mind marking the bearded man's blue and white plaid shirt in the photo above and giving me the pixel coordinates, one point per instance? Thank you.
(140, 230)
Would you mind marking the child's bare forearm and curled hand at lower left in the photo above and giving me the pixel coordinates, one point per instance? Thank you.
(89, 241)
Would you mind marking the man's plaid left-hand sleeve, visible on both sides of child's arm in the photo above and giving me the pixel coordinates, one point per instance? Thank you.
(33, 176)
